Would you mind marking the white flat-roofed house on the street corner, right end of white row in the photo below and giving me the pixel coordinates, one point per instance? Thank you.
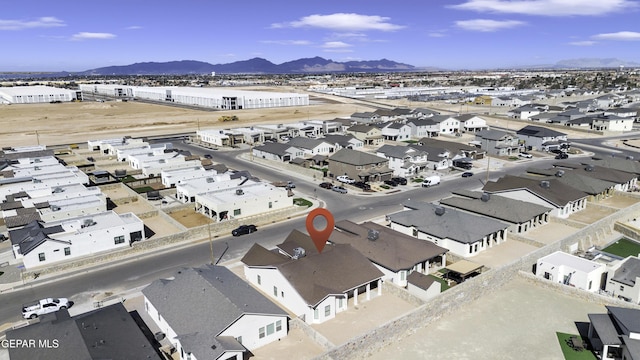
(242, 201)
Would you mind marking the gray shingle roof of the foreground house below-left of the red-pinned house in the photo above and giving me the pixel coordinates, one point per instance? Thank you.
(199, 303)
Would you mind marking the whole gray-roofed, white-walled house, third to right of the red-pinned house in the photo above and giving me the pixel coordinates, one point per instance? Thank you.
(520, 215)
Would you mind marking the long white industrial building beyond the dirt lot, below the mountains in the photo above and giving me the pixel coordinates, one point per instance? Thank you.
(216, 98)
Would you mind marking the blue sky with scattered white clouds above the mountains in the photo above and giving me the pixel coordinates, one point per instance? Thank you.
(452, 34)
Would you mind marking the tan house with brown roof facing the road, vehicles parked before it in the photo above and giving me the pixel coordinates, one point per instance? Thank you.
(359, 165)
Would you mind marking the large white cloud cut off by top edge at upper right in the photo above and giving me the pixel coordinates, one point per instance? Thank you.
(547, 7)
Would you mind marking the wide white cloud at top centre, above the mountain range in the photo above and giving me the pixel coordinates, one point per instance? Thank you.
(343, 22)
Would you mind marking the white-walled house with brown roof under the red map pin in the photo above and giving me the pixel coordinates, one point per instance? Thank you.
(315, 286)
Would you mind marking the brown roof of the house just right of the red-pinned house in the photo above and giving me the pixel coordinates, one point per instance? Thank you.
(392, 250)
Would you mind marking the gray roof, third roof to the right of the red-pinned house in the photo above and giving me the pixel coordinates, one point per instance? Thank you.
(497, 207)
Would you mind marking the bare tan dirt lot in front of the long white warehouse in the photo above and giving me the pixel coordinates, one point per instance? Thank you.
(77, 122)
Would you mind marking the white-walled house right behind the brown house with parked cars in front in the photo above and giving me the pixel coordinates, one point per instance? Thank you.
(405, 161)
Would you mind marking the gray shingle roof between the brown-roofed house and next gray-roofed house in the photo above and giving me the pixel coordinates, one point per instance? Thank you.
(453, 224)
